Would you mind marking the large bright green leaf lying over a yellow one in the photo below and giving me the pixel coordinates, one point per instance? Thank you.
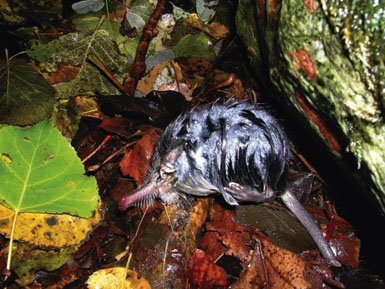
(40, 172)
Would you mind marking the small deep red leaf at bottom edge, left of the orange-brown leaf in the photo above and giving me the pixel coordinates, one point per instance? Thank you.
(204, 272)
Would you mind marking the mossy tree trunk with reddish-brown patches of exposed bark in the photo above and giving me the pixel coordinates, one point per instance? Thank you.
(327, 69)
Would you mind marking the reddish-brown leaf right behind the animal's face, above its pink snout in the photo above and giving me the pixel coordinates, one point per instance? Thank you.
(136, 161)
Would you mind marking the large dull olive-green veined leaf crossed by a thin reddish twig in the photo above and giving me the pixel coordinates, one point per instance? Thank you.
(73, 50)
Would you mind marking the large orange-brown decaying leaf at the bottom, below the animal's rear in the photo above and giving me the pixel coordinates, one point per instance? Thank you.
(265, 264)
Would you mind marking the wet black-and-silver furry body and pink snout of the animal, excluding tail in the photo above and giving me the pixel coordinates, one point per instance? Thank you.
(203, 152)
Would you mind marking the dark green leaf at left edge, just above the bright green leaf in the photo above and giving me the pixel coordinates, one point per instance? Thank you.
(25, 97)
